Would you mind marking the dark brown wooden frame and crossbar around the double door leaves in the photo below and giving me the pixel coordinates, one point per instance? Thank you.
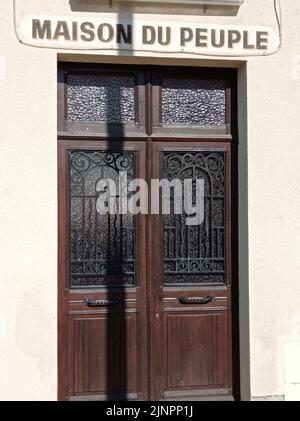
(232, 138)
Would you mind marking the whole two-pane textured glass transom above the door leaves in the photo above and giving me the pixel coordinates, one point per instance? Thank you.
(107, 102)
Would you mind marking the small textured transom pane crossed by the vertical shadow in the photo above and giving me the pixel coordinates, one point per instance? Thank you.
(104, 99)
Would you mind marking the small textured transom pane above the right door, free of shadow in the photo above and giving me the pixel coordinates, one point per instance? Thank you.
(193, 102)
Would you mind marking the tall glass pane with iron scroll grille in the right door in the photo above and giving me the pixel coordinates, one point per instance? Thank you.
(195, 254)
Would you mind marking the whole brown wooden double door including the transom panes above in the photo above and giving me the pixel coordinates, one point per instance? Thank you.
(145, 300)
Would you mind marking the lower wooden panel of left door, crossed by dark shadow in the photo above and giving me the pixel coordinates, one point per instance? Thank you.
(104, 368)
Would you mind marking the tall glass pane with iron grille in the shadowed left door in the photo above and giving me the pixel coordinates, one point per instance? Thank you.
(102, 250)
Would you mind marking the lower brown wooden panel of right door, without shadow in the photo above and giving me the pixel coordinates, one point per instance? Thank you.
(200, 342)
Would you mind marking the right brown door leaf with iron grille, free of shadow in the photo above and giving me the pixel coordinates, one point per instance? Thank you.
(191, 299)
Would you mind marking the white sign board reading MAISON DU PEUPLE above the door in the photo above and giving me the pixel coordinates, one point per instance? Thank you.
(111, 33)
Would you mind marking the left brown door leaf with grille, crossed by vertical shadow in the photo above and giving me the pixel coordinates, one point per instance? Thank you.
(103, 269)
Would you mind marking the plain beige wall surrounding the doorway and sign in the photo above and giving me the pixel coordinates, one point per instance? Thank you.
(269, 139)
